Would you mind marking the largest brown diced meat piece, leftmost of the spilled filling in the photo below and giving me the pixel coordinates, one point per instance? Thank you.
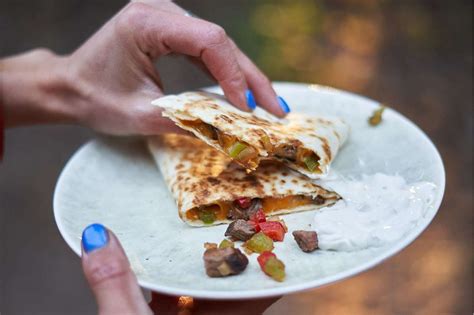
(222, 262)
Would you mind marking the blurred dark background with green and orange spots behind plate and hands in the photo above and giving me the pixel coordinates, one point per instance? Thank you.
(415, 56)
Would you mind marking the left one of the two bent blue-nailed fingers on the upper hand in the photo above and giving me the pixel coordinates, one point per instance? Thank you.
(158, 32)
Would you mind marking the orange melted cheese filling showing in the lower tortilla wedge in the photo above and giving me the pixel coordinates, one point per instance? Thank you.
(269, 205)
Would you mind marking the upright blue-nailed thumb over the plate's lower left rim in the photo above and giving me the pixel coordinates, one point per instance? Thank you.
(109, 275)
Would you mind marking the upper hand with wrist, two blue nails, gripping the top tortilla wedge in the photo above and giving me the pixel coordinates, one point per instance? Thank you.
(109, 82)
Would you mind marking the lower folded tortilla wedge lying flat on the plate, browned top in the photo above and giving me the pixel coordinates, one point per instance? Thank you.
(209, 189)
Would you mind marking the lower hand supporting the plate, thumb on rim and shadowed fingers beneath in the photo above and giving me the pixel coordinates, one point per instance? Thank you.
(116, 290)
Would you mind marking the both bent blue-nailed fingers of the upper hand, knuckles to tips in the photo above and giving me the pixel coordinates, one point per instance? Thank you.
(161, 28)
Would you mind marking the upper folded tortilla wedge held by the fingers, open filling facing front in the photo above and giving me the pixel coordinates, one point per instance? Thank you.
(306, 144)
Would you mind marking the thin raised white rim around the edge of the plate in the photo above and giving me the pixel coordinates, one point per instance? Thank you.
(278, 291)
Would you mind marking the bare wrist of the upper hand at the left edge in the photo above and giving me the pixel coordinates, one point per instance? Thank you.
(37, 89)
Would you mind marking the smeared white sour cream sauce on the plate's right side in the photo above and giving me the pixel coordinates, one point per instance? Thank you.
(376, 210)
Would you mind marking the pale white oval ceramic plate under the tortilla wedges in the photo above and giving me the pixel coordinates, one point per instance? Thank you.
(115, 182)
